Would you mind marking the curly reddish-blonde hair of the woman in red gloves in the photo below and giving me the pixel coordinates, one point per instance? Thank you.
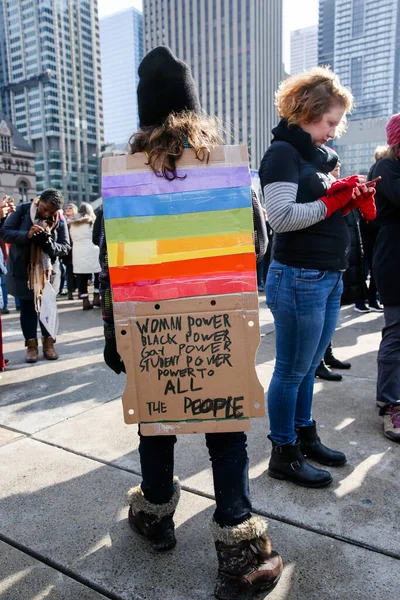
(306, 97)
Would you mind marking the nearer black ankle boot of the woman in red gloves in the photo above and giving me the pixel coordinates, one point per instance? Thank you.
(287, 462)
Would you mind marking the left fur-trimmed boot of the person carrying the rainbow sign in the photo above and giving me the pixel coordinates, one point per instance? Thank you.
(154, 521)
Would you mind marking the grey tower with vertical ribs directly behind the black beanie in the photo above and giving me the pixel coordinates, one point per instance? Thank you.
(234, 48)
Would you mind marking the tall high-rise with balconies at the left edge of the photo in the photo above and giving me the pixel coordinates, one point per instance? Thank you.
(51, 89)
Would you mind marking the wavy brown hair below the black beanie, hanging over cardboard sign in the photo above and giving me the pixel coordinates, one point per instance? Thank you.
(164, 144)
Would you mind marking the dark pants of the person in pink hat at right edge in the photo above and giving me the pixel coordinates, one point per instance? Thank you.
(388, 384)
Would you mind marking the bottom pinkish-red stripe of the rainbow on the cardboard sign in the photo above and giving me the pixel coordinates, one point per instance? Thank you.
(187, 287)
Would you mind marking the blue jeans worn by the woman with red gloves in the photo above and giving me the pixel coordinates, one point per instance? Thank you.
(305, 304)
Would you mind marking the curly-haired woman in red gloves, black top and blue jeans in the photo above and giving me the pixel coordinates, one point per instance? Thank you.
(310, 253)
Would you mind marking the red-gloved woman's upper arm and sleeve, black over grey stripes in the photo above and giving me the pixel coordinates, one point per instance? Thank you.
(279, 174)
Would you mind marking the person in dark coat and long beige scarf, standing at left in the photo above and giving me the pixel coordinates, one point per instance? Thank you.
(37, 236)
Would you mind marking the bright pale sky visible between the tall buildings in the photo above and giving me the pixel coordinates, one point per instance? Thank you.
(297, 14)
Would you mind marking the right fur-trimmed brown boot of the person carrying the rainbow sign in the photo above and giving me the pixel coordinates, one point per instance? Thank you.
(246, 562)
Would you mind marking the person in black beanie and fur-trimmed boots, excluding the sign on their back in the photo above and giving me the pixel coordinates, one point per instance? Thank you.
(170, 121)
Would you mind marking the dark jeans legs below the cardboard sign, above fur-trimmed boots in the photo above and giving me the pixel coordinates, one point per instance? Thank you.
(230, 467)
